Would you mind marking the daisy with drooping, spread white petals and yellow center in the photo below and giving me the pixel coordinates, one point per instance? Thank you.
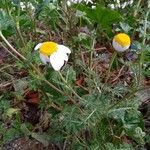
(54, 53)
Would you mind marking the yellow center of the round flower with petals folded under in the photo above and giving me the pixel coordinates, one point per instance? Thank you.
(122, 39)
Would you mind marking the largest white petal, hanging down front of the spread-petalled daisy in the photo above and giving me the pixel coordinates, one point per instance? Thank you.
(56, 61)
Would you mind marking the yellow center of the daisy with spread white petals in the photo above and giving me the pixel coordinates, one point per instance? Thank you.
(47, 48)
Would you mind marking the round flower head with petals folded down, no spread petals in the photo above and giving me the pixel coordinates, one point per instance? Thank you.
(121, 42)
